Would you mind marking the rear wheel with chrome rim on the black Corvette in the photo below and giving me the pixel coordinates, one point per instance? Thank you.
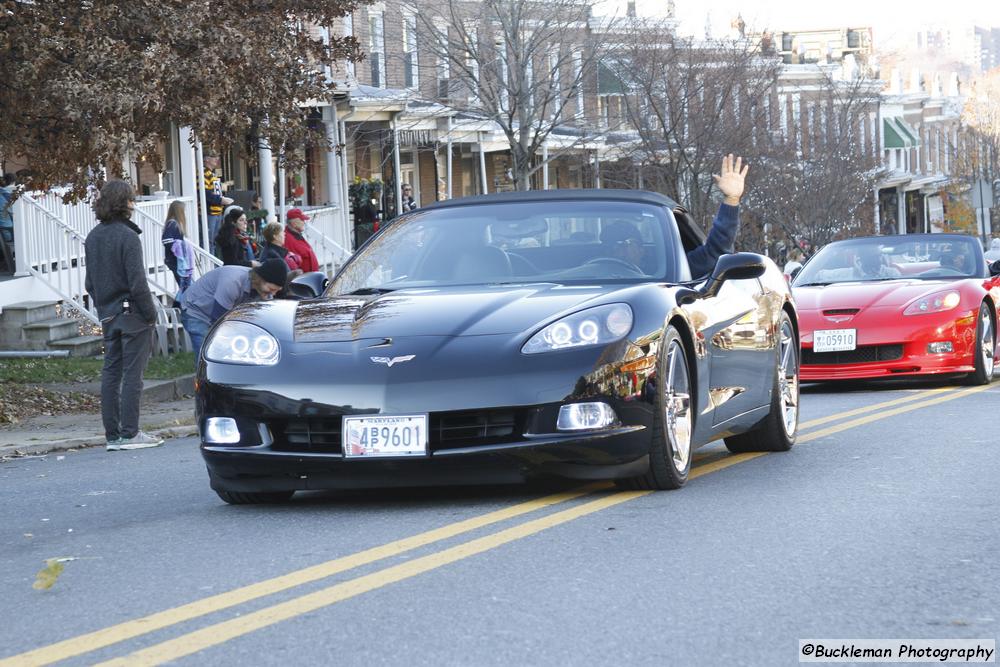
(773, 435)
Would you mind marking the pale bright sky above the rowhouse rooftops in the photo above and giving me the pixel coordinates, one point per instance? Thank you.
(885, 16)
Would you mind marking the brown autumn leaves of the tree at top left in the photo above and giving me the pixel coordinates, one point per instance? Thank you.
(89, 84)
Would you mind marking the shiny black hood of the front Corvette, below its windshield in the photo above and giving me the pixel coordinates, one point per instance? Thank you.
(454, 311)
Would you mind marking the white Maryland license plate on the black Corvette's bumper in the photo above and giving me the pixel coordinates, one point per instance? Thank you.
(374, 436)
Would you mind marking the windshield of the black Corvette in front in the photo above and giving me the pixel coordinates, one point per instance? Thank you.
(538, 241)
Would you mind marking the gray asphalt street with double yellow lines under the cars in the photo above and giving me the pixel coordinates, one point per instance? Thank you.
(878, 524)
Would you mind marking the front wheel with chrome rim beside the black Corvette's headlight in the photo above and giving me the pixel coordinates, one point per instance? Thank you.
(669, 465)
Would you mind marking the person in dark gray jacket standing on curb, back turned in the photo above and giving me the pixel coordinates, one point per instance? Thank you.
(116, 283)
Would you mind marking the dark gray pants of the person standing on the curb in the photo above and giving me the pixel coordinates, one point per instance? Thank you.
(128, 342)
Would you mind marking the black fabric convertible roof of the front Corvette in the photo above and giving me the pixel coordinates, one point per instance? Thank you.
(691, 234)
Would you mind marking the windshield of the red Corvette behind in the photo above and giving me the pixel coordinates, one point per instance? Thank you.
(917, 256)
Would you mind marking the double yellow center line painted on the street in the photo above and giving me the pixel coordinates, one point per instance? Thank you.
(221, 632)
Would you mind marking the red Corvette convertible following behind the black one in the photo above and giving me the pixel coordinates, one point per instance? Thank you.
(884, 306)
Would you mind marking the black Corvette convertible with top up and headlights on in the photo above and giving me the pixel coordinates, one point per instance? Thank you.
(488, 339)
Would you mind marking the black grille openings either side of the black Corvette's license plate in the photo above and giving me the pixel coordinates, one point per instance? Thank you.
(447, 430)
